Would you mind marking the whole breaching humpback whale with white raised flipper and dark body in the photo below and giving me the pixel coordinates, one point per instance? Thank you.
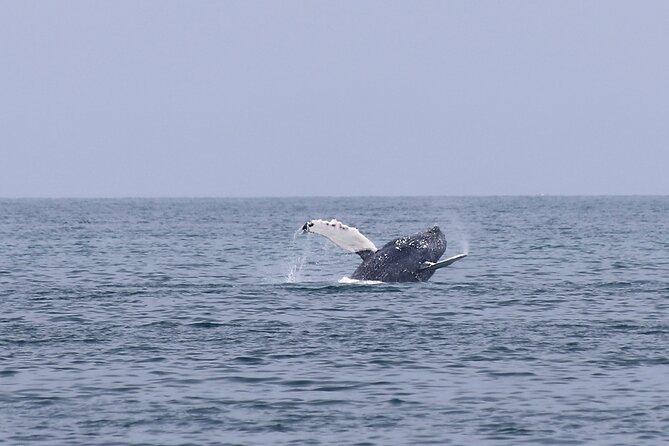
(413, 258)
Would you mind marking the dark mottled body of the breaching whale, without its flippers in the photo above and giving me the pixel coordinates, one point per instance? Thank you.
(402, 260)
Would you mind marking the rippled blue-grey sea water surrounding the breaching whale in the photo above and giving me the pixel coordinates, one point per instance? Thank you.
(210, 322)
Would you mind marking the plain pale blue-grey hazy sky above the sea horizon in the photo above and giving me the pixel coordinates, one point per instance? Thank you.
(333, 98)
